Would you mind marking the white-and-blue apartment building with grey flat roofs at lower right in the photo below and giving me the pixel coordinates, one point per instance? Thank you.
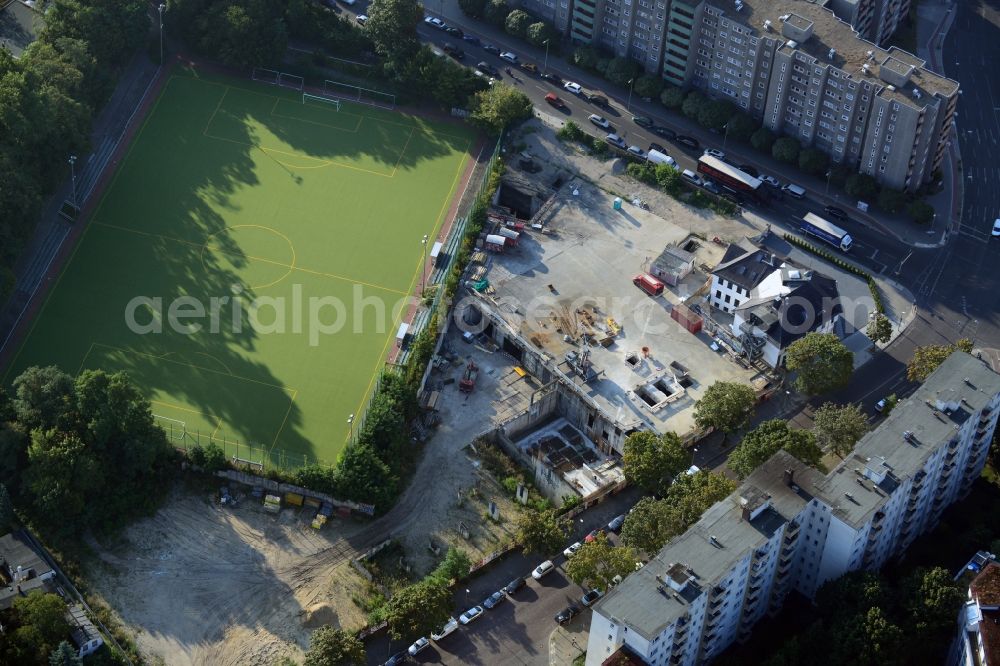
(789, 527)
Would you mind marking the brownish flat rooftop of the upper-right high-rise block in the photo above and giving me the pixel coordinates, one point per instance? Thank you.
(851, 51)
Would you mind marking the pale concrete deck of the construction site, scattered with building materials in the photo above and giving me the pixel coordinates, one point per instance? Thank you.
(568, 282)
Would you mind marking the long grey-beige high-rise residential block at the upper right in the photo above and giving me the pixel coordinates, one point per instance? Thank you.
(799, 69)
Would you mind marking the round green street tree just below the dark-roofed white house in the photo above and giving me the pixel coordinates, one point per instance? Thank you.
(821, 361)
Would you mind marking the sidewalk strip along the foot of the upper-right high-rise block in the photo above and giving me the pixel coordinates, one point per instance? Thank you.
(897, 227)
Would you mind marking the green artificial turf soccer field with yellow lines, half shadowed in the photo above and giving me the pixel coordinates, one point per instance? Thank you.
(237, 190)
